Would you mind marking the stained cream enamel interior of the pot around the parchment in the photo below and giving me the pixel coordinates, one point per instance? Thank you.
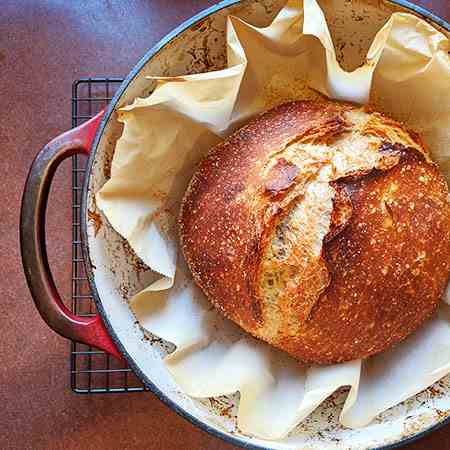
(116, 274)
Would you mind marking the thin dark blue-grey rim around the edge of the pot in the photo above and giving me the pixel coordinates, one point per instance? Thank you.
(84, 237)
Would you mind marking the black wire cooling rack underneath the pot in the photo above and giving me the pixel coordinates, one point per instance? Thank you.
(91, 370)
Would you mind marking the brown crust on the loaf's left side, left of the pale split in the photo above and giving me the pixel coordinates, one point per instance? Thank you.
(220, 234)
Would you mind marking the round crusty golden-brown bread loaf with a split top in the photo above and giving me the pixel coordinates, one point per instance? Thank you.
(321, 228)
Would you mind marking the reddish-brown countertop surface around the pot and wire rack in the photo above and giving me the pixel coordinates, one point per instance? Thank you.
(44, 46)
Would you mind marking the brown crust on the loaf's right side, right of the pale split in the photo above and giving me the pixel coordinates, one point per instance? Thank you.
(389, 266)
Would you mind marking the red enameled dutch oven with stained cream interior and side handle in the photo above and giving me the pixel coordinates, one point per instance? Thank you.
(197, 45)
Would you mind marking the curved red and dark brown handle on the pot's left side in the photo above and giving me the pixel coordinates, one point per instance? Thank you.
(87, 330)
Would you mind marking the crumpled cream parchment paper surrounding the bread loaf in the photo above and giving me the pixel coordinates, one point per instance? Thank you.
(407, 75)
